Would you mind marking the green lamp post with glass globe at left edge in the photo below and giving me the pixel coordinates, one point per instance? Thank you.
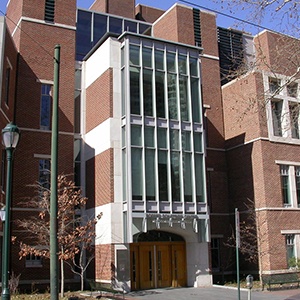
(10, 138)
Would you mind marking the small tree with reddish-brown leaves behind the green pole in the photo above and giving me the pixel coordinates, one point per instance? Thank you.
(76, 232)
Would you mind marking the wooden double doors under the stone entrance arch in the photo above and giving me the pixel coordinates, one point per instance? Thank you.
(157, 265)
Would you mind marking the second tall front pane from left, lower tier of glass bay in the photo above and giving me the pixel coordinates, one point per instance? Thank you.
(150, 174)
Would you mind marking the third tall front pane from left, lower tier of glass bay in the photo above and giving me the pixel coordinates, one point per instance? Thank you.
(163, 175)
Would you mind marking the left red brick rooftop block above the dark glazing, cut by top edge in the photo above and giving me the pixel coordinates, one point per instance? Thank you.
(123, 8)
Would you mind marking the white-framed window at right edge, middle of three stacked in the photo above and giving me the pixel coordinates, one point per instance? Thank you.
(290, 185)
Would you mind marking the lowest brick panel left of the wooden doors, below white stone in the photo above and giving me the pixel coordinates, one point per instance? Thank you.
(105, 262)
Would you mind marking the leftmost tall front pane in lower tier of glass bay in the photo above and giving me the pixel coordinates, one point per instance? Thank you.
(137, 173)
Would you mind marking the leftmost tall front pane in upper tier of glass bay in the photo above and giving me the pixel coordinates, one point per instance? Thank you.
(135, 107)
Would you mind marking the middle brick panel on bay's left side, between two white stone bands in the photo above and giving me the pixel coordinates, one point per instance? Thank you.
(100, 179)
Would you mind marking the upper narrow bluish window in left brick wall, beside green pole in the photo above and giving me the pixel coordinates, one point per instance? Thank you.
(45, 106)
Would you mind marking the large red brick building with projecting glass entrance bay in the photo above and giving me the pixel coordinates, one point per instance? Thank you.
(162, 133)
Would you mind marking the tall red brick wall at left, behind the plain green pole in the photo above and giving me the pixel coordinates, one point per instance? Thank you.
(36, 44)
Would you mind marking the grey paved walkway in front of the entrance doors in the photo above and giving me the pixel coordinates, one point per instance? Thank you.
(212, 293)
